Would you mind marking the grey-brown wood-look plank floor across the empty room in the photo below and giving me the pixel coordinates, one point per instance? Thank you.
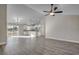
(38, 46)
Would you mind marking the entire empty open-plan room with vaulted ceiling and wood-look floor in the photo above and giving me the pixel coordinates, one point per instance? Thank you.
(39, 29)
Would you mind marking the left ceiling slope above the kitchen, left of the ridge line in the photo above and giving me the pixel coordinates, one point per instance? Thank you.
(24, 13)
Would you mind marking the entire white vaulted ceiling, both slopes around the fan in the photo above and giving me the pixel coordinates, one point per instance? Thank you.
(33, 12)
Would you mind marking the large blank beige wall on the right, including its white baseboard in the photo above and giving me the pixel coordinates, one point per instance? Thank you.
(64, 28)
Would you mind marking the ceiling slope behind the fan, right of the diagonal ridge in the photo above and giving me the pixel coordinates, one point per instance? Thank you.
(68, 9)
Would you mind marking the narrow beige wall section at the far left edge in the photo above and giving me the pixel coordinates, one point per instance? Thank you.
(3, 33)
